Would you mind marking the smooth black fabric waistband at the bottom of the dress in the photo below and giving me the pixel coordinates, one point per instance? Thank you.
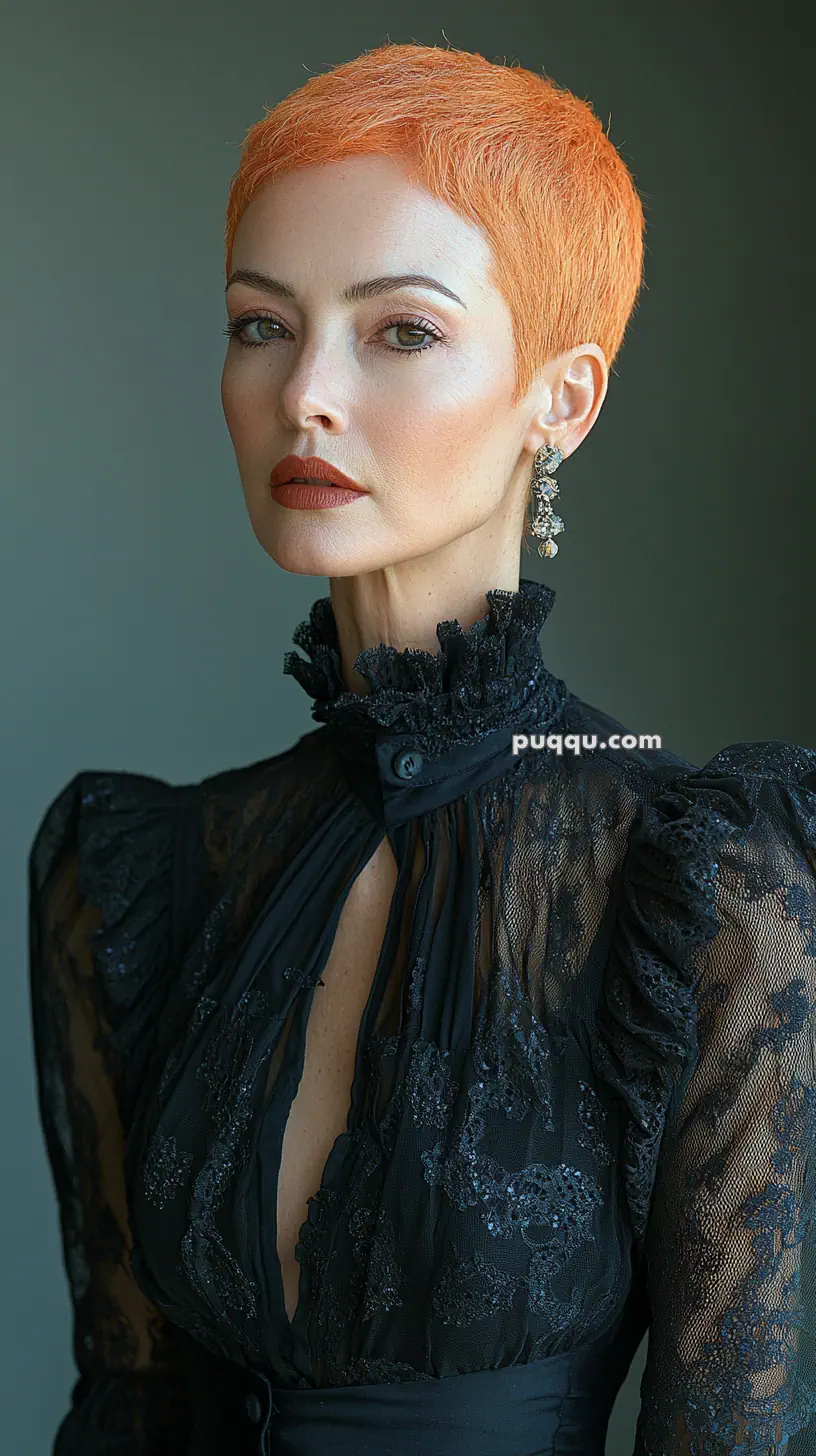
(553, 1407)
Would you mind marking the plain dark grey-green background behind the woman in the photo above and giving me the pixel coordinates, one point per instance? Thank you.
(144, 628)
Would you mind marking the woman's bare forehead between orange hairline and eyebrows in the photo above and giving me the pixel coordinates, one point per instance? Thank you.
(359, 218)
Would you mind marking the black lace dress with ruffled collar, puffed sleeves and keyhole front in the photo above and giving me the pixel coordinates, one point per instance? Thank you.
(585, 1091)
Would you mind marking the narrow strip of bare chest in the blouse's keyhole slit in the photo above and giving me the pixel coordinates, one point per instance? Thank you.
(320, 1110)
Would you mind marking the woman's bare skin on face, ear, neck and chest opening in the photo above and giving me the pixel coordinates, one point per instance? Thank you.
(447, 464)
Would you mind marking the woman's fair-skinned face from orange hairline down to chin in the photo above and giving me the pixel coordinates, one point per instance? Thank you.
(406, 391)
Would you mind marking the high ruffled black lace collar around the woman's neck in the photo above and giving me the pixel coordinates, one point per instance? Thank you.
(489, 676)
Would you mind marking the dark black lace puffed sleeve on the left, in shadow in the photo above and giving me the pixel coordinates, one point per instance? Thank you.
(101, 873)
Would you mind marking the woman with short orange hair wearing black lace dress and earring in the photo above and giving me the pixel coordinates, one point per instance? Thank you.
(397, 1085)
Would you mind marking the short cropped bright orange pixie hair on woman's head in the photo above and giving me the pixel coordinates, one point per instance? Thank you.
(514, 154)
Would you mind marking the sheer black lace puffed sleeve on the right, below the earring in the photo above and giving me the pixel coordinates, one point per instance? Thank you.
(713, 1004)
